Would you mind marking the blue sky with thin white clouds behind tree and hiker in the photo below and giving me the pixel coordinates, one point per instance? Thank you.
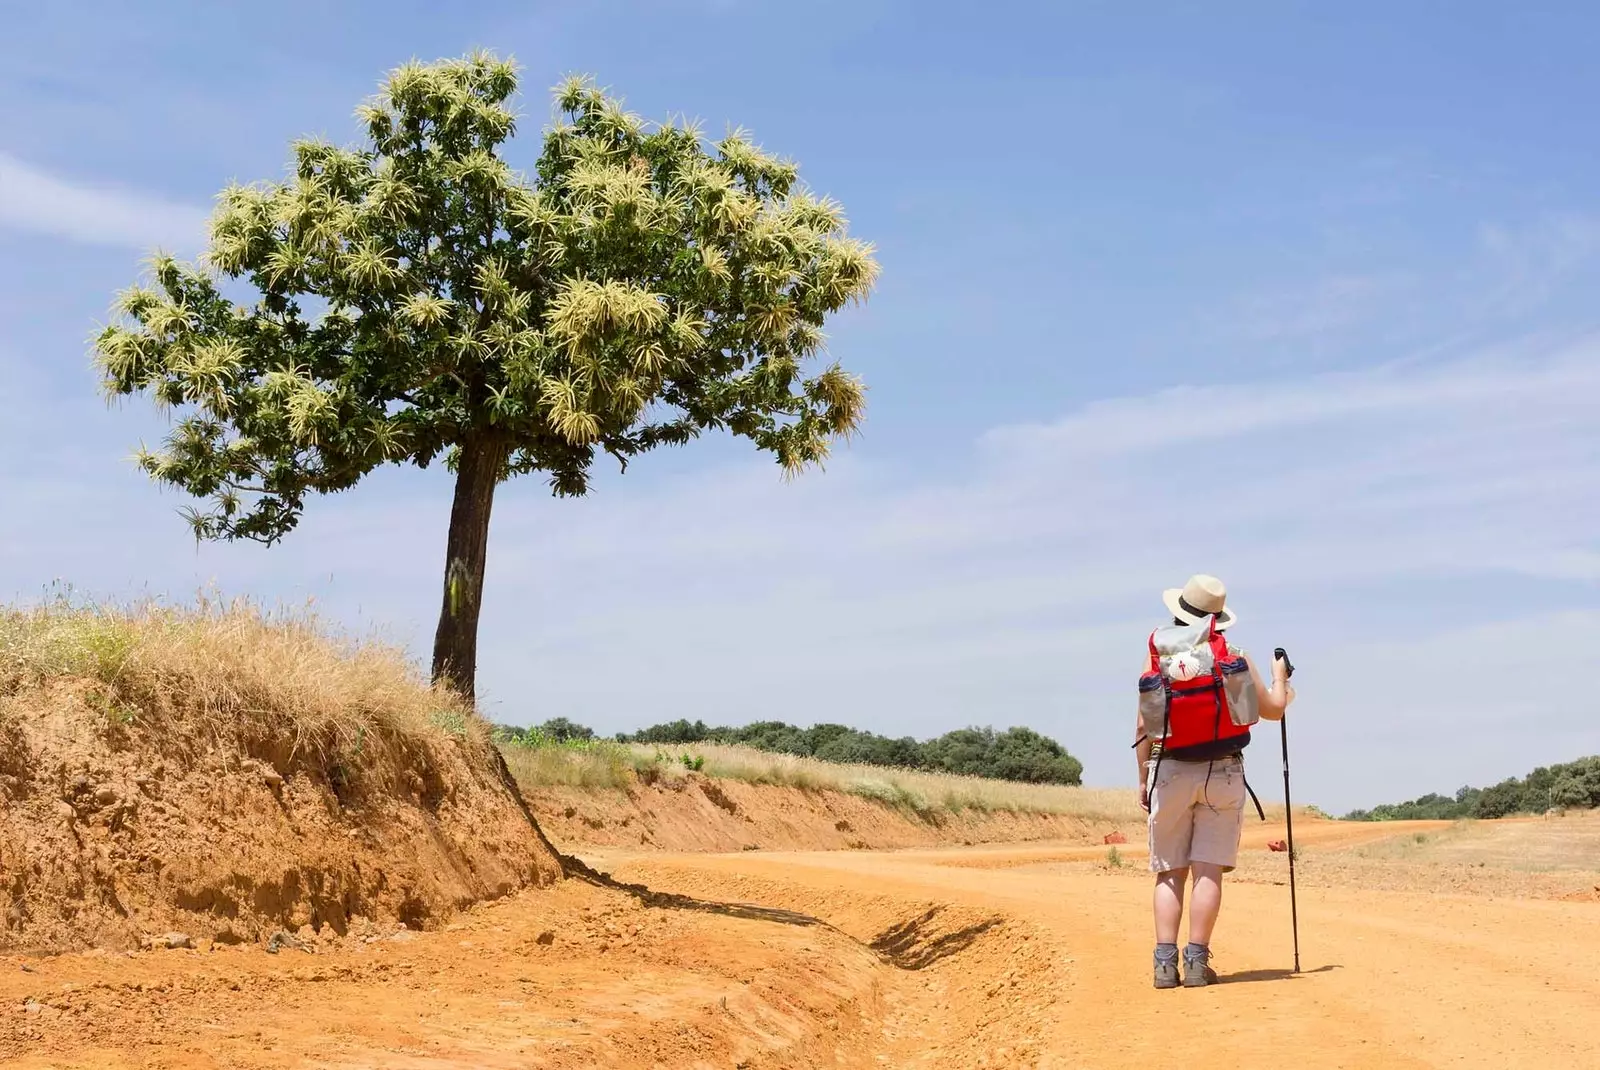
(1300, 295)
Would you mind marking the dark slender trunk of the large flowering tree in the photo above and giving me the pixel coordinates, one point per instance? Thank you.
(466, 551)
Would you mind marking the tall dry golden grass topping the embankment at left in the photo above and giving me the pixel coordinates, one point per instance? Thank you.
(233, 673)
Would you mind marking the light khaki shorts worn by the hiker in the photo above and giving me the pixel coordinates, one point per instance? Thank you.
(1198, 815)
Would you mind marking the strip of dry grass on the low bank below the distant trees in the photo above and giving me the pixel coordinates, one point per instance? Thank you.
(622, 765)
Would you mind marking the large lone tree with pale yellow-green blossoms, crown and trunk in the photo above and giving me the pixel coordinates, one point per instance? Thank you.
(417, 300)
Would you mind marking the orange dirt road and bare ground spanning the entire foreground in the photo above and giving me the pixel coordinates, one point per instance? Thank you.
(983, 957)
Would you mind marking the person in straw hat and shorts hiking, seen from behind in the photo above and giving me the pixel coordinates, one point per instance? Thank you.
(1198, 700)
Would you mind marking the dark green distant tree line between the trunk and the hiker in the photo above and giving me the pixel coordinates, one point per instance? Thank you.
(1017, 754)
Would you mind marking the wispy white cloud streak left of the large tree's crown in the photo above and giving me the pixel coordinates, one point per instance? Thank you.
(94, 214)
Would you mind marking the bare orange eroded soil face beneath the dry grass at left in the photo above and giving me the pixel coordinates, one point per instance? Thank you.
(116, 831)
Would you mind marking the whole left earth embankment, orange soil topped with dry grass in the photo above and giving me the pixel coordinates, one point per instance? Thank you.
(230, 780)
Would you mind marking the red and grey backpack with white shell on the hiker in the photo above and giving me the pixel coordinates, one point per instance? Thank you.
(1196, 692)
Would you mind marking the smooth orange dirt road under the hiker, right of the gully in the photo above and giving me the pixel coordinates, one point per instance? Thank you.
(1391, 980)
